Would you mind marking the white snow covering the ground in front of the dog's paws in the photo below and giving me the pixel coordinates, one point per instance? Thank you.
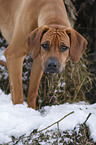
(16, 120)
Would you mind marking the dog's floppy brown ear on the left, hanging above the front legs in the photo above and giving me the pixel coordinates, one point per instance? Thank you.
(34, 39)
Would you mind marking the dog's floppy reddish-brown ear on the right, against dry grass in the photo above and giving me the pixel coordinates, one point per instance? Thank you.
(78, 44)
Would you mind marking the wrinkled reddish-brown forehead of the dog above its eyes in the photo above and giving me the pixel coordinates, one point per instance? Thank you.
(56, 35)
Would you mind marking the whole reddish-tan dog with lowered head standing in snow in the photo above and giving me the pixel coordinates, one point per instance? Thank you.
(41, 27)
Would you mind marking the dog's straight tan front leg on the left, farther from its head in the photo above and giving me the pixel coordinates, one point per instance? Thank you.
(15, 76)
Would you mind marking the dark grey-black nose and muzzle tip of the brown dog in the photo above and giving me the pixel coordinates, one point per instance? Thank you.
(52, 65)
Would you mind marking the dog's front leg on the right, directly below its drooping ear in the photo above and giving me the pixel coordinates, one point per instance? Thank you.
(35, 77)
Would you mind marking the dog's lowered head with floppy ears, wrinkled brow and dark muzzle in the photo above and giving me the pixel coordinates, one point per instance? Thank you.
(55, 45)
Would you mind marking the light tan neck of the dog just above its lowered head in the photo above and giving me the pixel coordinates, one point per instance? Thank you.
(50, 15)
